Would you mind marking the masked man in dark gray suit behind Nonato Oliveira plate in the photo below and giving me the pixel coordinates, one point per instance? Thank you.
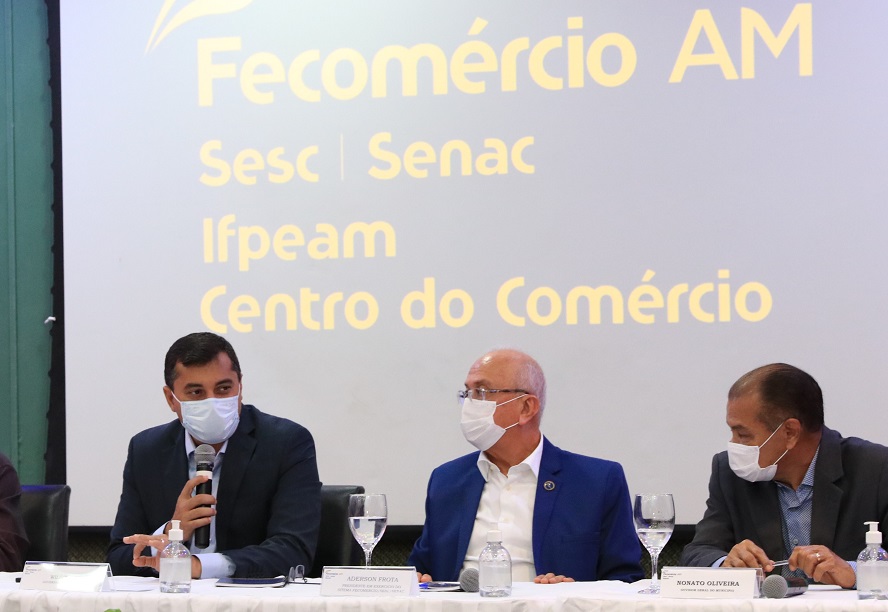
(788, 487)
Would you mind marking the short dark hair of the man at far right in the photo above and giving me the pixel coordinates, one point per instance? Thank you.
(786, 392)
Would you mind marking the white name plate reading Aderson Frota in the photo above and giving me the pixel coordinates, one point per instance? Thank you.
(345, 581)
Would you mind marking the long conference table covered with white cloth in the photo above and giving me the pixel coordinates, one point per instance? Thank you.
(143, 595)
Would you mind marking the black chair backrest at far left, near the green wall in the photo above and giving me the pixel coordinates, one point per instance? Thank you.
(45, 514)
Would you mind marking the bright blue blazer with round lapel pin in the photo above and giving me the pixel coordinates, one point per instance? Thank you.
(582, 528)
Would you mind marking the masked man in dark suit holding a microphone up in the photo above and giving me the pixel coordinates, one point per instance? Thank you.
(264, 509)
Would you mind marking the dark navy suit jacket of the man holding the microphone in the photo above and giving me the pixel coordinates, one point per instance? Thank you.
(268, 504)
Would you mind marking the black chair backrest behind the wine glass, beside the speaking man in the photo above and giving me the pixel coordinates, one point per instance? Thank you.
(336, 545)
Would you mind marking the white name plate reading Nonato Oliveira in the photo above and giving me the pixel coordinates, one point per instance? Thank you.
(710, 582)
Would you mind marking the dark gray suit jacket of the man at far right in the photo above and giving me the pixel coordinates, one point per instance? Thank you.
(850, 487)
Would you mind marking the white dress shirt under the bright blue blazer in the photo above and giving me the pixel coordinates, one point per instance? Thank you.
(507, 502)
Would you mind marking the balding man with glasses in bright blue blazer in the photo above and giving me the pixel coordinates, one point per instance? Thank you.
(562, 516)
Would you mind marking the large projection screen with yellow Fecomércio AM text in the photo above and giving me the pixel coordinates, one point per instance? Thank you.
(651, 198)
